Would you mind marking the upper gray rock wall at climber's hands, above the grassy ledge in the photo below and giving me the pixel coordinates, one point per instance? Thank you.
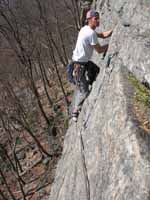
(132, 33)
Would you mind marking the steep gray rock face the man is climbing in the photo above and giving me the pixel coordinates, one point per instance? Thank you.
(106, 154)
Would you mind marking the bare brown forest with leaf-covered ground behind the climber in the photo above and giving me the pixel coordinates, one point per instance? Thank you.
(36, 42)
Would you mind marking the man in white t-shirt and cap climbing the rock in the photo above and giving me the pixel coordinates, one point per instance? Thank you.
(87, 41)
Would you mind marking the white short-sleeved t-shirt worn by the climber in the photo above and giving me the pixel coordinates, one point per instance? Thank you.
(83, 50)
